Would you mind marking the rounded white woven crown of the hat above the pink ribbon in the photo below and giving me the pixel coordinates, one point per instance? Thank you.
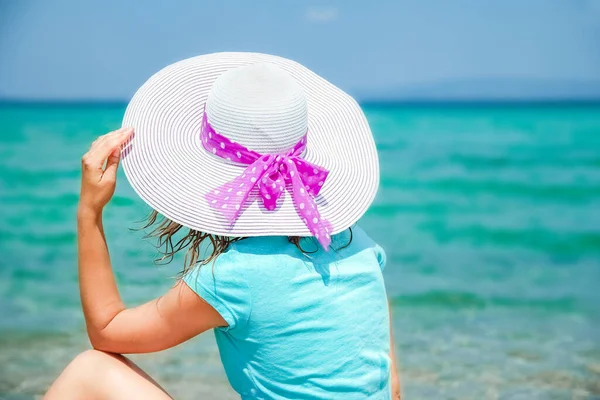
(259, 106)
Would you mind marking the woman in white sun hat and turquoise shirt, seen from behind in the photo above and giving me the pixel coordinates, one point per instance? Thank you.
(267, 167)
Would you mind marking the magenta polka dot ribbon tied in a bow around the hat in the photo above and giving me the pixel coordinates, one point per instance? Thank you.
(271, 174)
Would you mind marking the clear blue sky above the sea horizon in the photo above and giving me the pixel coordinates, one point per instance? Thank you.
(70, 49)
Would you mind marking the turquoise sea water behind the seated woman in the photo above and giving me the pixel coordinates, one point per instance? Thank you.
(490, 217)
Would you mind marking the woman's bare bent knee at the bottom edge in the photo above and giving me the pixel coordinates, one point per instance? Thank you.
(96, 375)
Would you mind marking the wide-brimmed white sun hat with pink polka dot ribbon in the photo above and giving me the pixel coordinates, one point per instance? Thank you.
(248, 144)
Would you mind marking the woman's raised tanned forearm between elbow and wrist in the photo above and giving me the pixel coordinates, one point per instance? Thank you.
(100, 297)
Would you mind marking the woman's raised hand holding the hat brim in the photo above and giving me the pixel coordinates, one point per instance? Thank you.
(97, 179)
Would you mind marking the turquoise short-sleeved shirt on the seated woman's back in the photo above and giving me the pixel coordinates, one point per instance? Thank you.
(312, 326)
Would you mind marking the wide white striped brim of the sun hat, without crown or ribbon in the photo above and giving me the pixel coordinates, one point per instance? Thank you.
(170, 170)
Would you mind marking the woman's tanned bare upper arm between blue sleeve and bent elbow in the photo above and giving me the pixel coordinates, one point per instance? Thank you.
(159, 324)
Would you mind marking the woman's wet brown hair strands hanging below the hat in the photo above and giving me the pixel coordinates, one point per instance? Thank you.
(163, 229)
